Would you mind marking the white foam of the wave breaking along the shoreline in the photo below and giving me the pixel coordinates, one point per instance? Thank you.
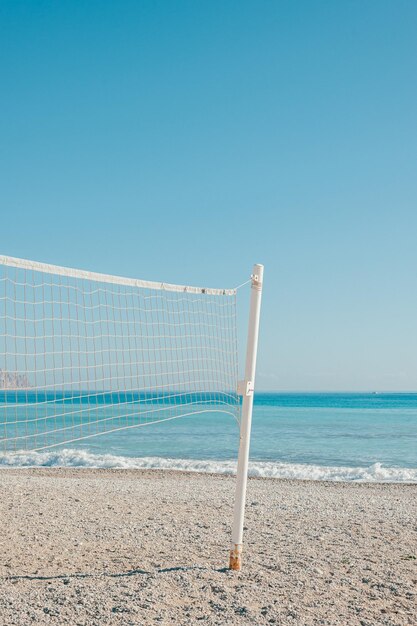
(83, 458)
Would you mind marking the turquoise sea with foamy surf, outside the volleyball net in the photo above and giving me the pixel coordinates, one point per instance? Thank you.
(363, 437)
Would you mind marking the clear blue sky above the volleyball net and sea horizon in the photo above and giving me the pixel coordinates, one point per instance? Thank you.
(184, 141)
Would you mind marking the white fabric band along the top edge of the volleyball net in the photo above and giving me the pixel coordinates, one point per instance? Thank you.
(46, 268)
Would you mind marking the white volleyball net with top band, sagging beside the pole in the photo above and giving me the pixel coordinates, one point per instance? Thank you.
(86, 354)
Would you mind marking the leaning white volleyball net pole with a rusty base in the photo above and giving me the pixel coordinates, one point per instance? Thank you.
(235, 562)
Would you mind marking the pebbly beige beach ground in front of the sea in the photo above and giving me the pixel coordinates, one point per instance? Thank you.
(129, 547)
